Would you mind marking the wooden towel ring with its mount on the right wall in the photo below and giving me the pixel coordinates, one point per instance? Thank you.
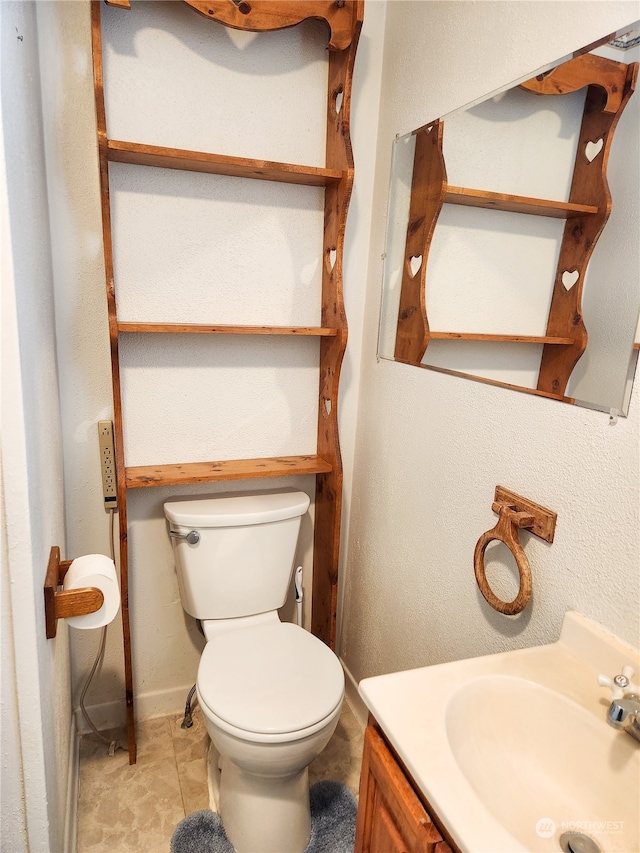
(515, 512)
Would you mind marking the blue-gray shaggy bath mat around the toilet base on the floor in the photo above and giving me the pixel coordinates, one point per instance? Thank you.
(333, 825)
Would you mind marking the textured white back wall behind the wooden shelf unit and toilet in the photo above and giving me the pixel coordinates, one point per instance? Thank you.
(192, 247)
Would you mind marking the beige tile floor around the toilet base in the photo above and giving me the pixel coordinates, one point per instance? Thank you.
(135, 809)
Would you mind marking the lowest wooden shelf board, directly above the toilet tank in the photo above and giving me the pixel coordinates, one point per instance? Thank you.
(234, 469)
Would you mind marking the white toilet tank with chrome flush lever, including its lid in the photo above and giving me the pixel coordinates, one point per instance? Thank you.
(243, 562)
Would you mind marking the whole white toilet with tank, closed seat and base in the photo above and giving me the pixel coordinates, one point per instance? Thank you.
(269, 691)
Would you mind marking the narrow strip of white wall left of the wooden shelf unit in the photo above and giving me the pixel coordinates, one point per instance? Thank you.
(80, 305)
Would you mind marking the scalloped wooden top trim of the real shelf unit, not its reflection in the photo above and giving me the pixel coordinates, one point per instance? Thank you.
(263, 15)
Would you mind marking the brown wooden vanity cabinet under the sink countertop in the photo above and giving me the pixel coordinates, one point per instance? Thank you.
(391, 815)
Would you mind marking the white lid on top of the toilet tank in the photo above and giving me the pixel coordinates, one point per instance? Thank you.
(235, 509)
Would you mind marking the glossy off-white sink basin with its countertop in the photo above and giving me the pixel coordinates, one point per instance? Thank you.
(513, 750)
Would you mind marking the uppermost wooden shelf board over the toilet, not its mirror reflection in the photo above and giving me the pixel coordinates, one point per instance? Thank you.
(219, 164)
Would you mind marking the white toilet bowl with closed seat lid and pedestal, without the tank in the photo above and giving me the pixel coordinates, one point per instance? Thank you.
(271, 697)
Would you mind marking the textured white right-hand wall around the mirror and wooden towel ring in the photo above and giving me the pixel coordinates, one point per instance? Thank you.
(431, 448)
